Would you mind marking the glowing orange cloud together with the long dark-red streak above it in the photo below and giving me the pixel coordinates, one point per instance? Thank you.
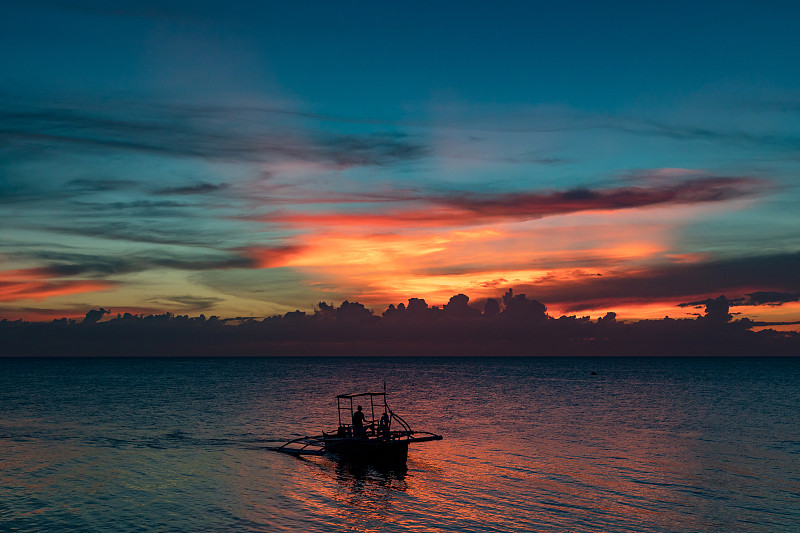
(573, 249)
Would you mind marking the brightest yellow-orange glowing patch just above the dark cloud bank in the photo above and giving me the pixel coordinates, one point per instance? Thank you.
(380, 268)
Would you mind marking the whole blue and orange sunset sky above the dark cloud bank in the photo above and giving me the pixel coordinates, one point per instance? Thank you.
(253, 158)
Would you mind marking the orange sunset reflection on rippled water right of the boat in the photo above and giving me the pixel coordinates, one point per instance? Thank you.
(555, 475)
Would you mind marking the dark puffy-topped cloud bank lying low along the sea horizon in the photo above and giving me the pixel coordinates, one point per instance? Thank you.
(511, 326)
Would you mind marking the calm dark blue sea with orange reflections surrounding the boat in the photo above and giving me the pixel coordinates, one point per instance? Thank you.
(540, 444)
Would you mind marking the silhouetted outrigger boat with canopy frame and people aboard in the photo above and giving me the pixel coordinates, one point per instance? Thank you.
(384, 441)
